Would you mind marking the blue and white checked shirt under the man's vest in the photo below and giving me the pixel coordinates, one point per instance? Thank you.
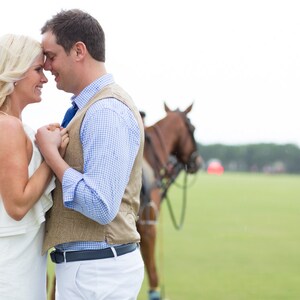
(110, 138)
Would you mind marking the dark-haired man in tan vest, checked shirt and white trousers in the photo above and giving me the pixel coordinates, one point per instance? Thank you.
(92, 224)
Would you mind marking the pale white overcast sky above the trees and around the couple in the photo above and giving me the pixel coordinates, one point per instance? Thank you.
(237, 61)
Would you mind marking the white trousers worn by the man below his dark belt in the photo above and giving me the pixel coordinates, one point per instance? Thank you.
(117, 278)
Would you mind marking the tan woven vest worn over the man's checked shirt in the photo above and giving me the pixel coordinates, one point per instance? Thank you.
(65, 225)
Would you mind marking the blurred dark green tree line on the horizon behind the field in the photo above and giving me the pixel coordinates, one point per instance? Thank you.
(263, 157)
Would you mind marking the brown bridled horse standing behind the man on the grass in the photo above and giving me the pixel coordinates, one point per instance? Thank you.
(170, 147)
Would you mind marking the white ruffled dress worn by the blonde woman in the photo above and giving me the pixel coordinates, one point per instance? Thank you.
(22, 266)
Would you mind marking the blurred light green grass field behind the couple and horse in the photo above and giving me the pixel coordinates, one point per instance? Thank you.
(240, 239)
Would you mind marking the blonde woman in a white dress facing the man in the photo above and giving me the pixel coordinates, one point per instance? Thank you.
(25, 180)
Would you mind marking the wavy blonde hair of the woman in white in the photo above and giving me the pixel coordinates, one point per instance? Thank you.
(17, 54)
